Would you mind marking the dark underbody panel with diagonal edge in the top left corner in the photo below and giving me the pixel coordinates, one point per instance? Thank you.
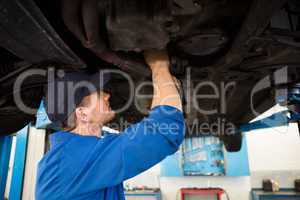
(26, 33)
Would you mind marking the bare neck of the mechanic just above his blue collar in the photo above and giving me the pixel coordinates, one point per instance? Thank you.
(88, 130)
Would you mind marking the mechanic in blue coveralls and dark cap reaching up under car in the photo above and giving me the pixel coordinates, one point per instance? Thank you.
(85, 162)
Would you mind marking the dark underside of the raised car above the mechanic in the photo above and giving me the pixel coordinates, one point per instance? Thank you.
(232, 44)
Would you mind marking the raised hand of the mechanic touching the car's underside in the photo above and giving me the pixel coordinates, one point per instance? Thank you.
(157, 59)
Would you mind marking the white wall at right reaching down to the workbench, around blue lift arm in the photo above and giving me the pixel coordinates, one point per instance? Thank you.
(274, 153)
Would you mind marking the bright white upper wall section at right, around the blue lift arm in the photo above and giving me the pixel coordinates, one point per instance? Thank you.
(274, 148)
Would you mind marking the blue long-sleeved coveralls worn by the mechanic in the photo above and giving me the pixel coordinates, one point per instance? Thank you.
(91, 168)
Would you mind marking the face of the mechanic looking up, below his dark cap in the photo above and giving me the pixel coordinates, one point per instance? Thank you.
(98, 109)
